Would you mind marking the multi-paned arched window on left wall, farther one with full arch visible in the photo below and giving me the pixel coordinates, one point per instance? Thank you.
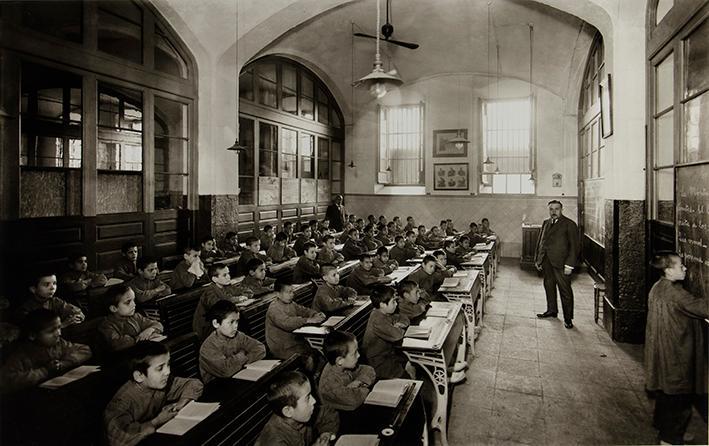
(293, 129)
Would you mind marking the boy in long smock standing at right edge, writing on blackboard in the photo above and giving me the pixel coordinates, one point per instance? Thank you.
(675, 353)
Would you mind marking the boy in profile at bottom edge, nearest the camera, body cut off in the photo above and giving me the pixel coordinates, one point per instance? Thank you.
(289, 396)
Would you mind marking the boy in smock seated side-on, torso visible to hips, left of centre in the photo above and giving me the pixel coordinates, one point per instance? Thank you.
(282, 317)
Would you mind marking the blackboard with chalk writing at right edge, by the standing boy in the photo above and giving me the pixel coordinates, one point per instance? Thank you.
(692, 201)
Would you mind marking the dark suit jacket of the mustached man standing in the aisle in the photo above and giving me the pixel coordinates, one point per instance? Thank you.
(559, 242)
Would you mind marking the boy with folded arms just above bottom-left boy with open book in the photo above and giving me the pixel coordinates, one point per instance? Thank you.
(124, 327)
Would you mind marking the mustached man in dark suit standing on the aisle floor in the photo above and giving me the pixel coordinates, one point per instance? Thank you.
(556, 257)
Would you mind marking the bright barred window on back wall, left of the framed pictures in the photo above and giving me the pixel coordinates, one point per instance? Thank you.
(401, 144)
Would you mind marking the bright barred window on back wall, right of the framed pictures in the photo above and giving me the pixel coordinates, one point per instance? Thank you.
(507, 149)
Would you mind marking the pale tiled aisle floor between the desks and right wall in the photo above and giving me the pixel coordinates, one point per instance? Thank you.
(535, 382)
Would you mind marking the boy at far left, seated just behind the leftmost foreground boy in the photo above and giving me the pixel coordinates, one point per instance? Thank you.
(42, 290)
